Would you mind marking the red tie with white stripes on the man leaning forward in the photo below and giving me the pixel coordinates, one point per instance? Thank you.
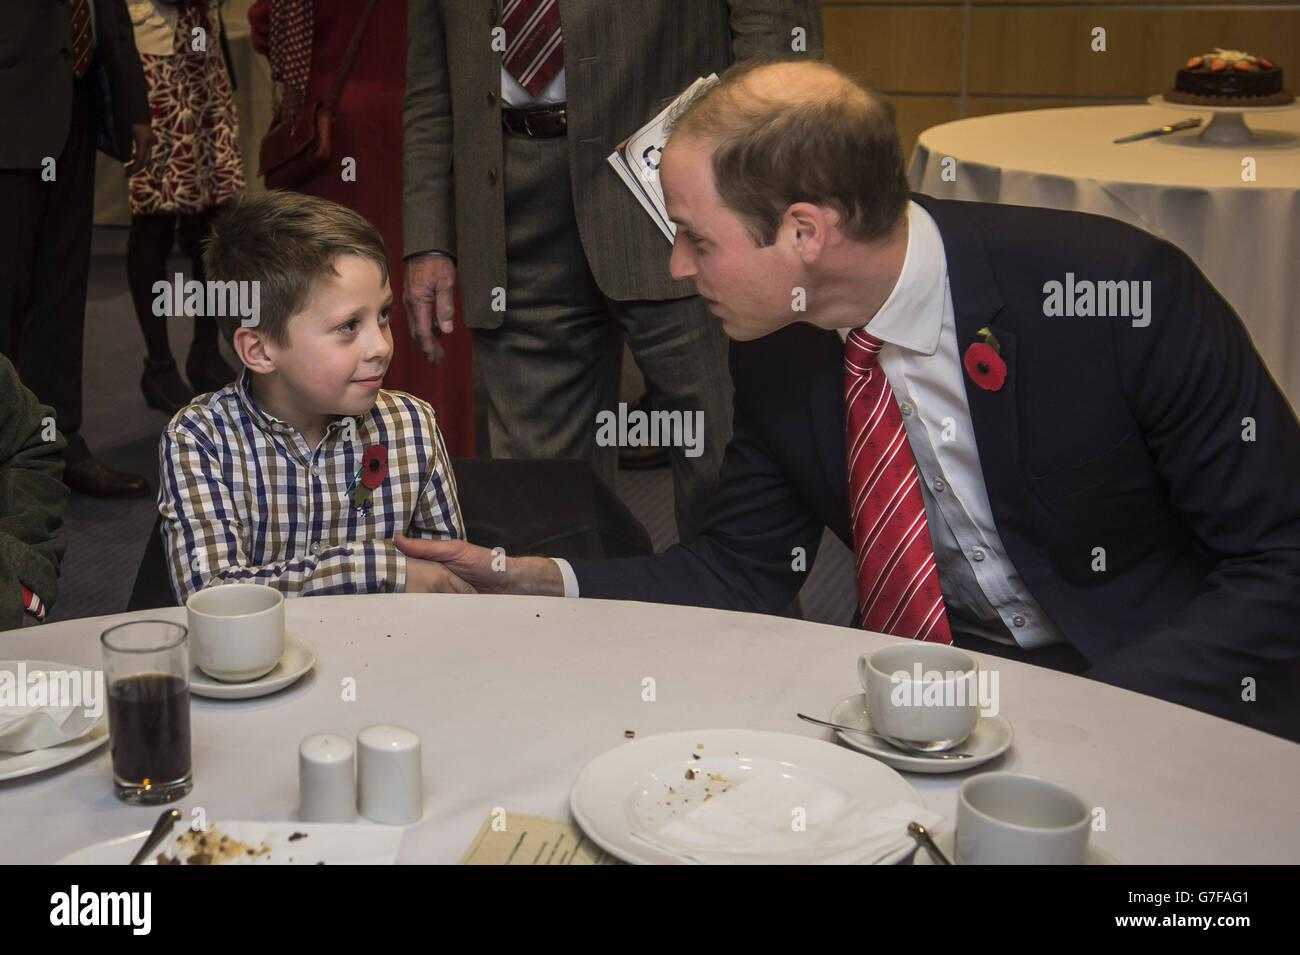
(898, 583)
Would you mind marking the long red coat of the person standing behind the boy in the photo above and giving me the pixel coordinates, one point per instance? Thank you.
(369, 128)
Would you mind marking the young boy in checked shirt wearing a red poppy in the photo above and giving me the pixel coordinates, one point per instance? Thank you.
(301, 474)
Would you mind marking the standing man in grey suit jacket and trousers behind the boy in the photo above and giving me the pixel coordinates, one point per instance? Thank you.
(513, 107)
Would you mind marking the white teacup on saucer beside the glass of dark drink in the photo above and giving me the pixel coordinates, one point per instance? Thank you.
(237, 631)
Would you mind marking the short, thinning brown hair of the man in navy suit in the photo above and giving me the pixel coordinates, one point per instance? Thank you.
(818, 137)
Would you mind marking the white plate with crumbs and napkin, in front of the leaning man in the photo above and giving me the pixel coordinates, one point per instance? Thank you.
(744, 797)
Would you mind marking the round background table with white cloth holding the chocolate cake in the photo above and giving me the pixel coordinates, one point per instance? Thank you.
(1243, 235)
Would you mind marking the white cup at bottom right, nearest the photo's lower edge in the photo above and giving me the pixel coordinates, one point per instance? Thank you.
(1009, 819)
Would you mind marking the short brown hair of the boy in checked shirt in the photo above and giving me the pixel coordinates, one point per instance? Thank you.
(285, 242)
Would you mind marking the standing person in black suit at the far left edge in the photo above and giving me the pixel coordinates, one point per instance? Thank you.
(70, 76)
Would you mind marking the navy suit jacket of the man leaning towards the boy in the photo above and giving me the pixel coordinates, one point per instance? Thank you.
(1165, 452)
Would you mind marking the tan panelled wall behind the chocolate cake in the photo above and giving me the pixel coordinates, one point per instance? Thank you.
(948, 59)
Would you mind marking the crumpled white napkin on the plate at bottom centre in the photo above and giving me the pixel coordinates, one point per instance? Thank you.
(756, 822)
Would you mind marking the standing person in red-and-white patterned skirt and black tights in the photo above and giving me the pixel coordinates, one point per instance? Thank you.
(197, 170)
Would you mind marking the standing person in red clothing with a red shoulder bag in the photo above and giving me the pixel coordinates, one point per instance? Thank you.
(305, 42)
